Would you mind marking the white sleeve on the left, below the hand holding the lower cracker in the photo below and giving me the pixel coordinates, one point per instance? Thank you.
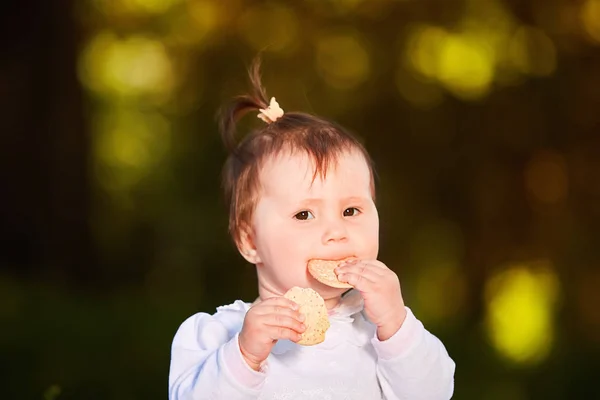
(206, 363)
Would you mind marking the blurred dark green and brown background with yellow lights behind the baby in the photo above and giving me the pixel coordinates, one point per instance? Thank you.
(483, 117)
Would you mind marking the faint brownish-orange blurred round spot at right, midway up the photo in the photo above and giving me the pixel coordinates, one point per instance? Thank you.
(546, 177)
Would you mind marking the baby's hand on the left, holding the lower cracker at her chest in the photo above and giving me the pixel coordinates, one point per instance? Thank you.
(266, 323)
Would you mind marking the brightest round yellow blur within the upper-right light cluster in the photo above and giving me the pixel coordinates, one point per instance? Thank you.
(466, 66)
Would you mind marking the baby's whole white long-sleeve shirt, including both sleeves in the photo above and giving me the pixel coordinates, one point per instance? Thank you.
(351, 363)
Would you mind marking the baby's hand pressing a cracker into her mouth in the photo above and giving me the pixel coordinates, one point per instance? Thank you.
(380, 288)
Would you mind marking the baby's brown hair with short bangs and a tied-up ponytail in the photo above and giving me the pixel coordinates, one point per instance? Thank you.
(322, 140)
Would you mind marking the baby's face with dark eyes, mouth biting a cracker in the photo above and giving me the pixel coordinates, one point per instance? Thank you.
(297, 219)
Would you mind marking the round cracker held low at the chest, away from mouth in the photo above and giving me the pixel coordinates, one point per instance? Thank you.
(313, 307)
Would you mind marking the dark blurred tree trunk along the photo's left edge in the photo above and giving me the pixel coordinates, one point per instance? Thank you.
(44, 145)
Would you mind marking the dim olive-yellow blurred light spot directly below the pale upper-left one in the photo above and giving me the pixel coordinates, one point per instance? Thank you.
(127, 146)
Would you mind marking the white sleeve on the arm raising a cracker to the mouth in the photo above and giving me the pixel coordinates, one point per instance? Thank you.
(414, 364)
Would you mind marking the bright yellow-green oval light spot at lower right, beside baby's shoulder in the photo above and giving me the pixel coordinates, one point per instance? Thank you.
(520, 309)
